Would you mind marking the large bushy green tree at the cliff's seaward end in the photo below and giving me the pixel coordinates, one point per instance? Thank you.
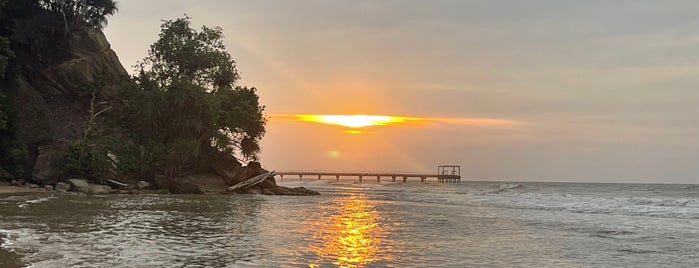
(183, 104)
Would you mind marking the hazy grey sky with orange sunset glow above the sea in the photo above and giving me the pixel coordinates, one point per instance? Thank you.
(572, 91)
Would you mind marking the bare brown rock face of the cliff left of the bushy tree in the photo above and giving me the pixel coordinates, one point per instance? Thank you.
(54, 94)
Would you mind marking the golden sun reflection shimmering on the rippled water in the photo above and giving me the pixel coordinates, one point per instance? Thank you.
(352, 237)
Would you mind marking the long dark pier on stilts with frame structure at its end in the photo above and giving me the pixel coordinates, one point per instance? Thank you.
(445, 174)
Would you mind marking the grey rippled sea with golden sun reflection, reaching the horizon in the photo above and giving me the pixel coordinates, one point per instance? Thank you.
(413, 224)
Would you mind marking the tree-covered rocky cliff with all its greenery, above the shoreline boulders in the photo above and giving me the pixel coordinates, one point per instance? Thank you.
(181, 109)
